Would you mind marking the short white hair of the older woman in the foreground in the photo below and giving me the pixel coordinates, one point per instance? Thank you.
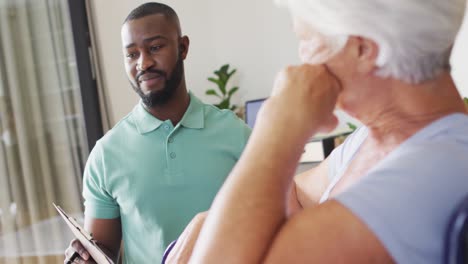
(415, 37)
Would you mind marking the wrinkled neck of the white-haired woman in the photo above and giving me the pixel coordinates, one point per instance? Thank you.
(408, 108)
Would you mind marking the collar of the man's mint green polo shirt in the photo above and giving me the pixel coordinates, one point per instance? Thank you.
(193, 117)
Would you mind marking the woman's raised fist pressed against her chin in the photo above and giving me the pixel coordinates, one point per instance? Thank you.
(303, 100)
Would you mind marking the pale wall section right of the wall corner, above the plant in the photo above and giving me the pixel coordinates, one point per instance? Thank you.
(256, 37)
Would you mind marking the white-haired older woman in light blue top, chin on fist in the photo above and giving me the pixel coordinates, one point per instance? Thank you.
(387, 193)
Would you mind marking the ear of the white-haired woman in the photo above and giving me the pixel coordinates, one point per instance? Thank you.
(368, 51)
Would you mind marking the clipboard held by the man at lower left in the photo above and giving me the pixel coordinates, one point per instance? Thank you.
(85, 238)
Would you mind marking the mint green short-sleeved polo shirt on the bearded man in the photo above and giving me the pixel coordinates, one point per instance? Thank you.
(157, 177)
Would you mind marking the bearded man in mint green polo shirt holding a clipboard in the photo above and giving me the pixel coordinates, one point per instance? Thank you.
(165, 161)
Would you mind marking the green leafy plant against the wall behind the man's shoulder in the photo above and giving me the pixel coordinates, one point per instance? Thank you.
(221, 78)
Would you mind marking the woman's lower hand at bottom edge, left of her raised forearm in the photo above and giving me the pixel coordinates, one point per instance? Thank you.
(182, 250)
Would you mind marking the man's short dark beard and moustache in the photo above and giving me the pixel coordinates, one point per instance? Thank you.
(161, 97)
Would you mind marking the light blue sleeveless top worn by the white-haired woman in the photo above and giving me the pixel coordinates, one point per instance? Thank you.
(408, 198)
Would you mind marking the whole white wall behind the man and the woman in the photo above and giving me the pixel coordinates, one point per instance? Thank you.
(253, 36)
